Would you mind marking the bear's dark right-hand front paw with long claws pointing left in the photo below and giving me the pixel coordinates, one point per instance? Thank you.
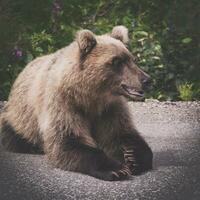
(137, 154)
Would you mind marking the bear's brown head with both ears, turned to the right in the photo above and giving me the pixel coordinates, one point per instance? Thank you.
(107, 67)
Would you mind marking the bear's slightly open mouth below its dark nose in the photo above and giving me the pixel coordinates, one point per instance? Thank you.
(132, 93)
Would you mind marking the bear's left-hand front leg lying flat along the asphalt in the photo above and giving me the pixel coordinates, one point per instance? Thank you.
(71, 154)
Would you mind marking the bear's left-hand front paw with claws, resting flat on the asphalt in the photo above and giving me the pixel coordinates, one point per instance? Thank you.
(122, 173)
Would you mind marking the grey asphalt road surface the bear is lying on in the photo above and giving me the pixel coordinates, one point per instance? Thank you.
(171, 129)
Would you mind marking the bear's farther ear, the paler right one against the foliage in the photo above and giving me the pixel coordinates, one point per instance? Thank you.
(120, 33)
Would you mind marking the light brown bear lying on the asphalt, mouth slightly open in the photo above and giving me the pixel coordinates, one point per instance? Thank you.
(72, 105)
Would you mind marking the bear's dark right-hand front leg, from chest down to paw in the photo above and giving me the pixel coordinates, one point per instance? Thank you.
(116, 133)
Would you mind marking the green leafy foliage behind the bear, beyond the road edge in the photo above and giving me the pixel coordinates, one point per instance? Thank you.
(164, 36)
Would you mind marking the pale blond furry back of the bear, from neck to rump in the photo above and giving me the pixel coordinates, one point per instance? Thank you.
(32, 88)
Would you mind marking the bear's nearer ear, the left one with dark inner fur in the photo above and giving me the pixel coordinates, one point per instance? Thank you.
(86, 42)
